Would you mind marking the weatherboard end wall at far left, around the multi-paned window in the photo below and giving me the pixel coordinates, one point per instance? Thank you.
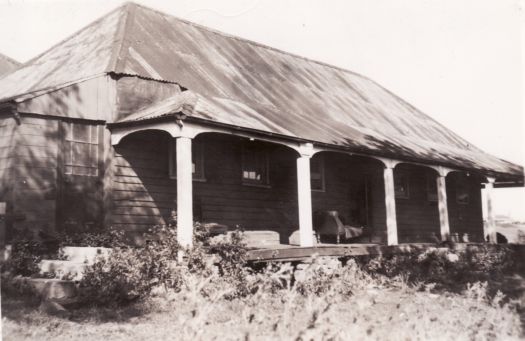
(39, 195)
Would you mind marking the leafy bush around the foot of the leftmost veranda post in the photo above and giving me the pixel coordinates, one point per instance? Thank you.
(132, 273)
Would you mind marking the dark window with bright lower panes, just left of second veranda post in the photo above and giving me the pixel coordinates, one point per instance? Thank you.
(255, 165)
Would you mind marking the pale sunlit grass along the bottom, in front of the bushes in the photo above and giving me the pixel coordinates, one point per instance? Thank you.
(338, 304)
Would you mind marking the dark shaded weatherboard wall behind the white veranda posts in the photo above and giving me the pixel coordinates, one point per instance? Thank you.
(143, 195)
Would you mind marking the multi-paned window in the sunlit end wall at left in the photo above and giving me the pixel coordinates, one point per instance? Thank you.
(81, 149)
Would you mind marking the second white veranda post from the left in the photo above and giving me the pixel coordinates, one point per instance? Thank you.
(304, 196)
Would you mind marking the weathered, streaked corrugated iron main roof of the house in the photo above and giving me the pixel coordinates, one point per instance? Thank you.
(247, 84)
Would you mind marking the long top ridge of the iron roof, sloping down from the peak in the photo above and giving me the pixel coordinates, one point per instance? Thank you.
(246, 40)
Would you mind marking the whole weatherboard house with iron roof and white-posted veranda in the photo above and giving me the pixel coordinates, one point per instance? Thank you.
(141, 114)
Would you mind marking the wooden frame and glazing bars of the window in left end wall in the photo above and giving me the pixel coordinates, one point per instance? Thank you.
(68, 148)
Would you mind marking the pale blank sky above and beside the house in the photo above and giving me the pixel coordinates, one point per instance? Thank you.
(459, 61)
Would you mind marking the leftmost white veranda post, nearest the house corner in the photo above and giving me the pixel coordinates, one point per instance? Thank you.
(184, 192)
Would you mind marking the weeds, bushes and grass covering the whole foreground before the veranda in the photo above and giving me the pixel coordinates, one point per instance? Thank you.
(213, 293)
